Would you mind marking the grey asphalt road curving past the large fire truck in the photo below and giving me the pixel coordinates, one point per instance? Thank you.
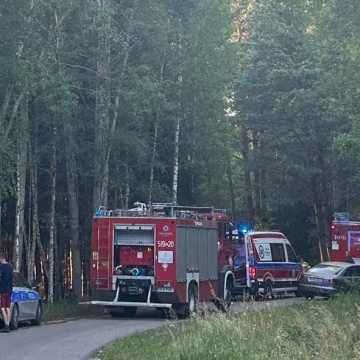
(78, 339)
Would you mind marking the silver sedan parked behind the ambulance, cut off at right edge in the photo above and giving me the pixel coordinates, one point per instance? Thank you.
(328, 278)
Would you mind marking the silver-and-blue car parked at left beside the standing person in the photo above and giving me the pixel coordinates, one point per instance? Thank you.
(26, 303)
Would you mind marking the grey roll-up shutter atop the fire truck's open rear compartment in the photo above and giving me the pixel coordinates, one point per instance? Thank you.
(134, 235)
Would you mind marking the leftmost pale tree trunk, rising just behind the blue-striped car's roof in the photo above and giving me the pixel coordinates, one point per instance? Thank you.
(20, 189)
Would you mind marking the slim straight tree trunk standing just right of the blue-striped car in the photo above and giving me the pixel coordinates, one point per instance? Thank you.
(52, 225)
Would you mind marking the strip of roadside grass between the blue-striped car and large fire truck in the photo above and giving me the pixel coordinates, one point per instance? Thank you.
(61, 310)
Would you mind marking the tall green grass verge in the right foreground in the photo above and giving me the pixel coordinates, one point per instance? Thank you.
(313, 330)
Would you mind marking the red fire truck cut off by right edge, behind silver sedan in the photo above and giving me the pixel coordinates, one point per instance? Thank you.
(345, 239)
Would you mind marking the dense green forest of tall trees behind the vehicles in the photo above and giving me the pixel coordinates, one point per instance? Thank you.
(249, 105)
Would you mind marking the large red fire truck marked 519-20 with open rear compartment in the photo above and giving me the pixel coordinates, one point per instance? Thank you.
(167, 257)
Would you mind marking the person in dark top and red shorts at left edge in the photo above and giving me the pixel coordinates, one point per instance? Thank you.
(6, 284)
